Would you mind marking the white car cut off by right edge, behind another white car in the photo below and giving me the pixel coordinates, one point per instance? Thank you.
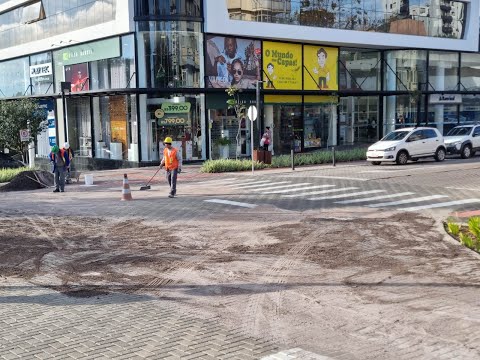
(463, 140)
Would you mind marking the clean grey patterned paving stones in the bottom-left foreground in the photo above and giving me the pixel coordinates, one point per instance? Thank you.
(37, 323)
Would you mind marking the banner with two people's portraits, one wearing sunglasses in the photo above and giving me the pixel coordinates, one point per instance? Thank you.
(232, 61)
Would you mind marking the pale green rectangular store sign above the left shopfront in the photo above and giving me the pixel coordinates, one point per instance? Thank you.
(99, 50)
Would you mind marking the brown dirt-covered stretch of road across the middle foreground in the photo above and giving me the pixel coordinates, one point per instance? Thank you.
(376, 286)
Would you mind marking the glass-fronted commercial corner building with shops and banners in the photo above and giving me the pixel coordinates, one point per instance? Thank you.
(328, 73)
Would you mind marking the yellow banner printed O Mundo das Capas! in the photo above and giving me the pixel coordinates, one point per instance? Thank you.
(282, 66)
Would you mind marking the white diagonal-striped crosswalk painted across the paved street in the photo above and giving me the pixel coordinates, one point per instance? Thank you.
(343, 195)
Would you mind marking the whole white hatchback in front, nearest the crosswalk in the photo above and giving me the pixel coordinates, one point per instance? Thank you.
(406, 144)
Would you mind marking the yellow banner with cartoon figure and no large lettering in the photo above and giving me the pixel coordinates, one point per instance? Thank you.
(320, 68)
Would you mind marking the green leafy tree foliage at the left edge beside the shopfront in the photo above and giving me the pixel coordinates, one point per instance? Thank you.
(16, 115)
